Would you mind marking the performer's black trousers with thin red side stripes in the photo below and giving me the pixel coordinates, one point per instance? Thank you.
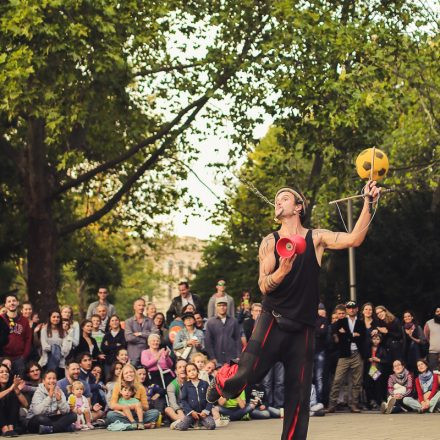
(268, 345)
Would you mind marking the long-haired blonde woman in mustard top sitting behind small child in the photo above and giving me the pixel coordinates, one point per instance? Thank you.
(128, 377)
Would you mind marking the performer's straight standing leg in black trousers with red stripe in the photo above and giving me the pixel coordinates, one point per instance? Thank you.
(297, 356)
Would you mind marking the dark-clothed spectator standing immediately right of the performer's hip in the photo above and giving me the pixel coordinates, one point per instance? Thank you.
(321, 334)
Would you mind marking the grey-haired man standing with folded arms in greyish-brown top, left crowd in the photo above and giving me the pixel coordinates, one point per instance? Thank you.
(137, 330)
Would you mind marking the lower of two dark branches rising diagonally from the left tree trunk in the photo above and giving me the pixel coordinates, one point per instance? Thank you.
(126, 187)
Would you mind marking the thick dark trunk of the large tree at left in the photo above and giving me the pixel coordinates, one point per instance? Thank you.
(42, 232)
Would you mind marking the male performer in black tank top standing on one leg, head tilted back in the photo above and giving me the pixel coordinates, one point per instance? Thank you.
(285, 330)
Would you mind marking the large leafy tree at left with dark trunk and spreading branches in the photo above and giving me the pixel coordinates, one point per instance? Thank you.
(96, 99)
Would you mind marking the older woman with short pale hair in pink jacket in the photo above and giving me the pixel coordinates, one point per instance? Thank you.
(157, 361)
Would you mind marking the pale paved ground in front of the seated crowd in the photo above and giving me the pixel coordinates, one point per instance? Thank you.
(331, 427)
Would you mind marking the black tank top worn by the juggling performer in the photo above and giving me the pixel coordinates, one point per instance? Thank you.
(297, 296)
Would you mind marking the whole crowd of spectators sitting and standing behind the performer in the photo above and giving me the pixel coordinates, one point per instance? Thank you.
(153, 369)
